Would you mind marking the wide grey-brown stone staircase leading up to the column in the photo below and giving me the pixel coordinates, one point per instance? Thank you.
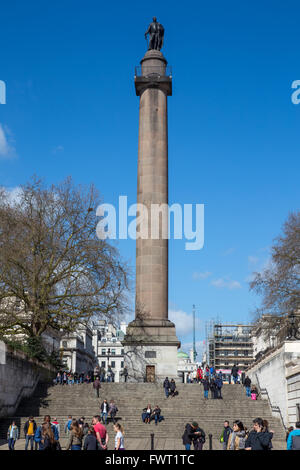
(78, 400)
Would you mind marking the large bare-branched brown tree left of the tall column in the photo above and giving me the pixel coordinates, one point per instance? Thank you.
(54, 271)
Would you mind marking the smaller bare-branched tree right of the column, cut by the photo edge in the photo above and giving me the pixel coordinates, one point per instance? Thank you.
(279, 283)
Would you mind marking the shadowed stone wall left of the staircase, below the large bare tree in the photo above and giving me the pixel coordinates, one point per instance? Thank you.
(19, 376)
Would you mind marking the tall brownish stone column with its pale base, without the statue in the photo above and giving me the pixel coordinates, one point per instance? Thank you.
(151, 338)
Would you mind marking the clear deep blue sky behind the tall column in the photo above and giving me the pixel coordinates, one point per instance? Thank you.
(71, 109)
